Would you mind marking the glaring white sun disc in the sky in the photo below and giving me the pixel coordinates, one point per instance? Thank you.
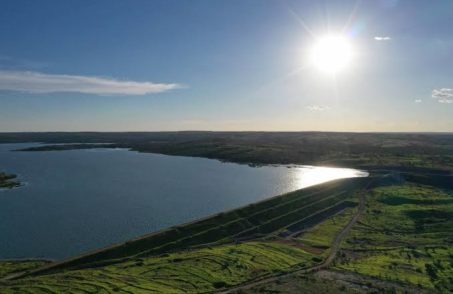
(332, 54)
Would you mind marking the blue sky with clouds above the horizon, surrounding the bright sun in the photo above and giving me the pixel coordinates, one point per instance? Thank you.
(223, 65)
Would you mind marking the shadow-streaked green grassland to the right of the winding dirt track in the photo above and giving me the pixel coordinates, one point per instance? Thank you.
(406, 235)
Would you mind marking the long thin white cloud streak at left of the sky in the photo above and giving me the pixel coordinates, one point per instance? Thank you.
(36, 82)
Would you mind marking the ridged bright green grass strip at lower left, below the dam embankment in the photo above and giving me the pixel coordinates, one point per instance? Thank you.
(183, 272)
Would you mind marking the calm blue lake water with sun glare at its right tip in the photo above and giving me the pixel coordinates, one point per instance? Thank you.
(80, 200)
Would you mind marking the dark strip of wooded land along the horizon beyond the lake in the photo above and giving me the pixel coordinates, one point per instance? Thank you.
(346, 149)
